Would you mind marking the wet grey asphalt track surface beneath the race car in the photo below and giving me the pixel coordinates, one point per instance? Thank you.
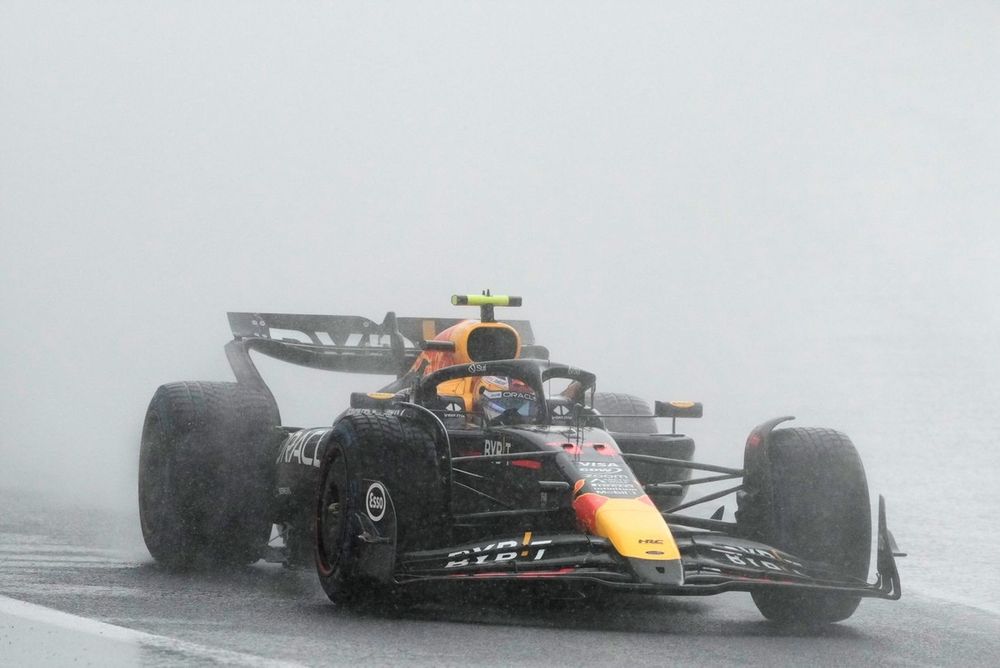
(88, 564)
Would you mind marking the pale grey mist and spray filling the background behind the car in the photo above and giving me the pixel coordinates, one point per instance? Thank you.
(768, 208)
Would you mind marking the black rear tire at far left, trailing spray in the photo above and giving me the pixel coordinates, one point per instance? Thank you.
(205, 473)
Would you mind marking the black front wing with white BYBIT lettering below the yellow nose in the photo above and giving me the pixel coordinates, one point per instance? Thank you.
(710, 563)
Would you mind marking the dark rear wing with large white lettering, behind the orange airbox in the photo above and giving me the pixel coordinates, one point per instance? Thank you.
(347, 343)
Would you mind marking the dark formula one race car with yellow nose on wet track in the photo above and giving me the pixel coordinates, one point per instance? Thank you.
(484, 461)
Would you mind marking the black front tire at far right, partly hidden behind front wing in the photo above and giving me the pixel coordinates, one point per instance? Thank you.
(806, 494)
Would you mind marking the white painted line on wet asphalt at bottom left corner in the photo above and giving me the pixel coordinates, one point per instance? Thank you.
(51, 617)
